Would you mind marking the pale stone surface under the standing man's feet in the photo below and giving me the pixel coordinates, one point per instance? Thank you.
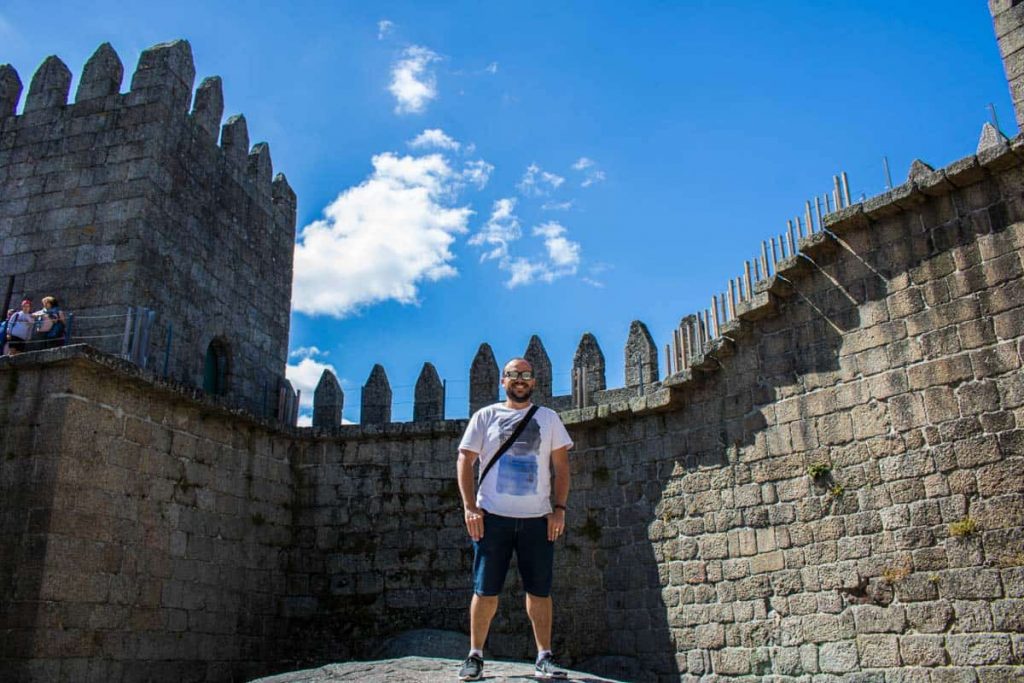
(417, 670)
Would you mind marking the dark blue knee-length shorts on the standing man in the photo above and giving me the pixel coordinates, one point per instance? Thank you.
(535, 554)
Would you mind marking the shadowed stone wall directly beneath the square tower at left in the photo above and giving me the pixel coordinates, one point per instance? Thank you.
(142, 531)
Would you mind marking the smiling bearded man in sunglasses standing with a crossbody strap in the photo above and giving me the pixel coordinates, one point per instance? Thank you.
(518, 509)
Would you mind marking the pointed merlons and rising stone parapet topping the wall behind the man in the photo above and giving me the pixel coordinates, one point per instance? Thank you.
(712, 341)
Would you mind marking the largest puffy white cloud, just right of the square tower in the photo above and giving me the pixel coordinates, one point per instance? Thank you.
(382, 239)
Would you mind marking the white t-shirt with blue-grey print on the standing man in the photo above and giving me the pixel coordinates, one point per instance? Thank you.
(520, 485)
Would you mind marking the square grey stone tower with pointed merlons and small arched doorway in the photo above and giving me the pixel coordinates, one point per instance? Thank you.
(143, 208)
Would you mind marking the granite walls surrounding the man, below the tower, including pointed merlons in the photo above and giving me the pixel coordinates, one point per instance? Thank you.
(834, 491)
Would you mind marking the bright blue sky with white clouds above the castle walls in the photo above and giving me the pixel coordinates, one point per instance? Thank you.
(474, 173)
